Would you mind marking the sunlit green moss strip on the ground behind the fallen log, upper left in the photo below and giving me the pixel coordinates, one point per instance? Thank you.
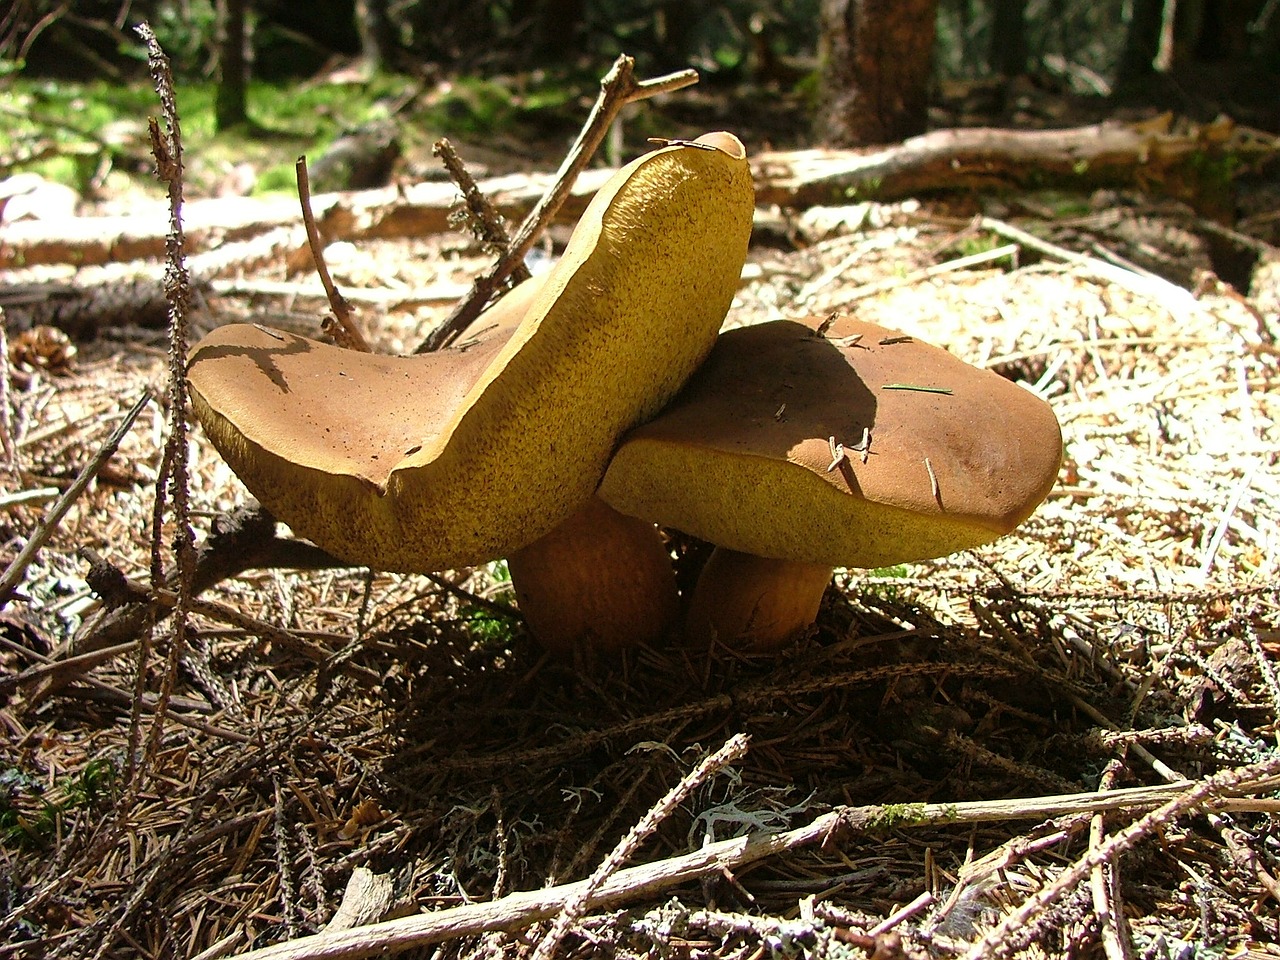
(63, 130)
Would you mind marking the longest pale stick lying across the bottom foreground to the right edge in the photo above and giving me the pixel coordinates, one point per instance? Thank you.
(519, 911)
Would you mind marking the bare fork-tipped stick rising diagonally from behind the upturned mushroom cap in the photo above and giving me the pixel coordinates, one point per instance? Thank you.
(618, 90)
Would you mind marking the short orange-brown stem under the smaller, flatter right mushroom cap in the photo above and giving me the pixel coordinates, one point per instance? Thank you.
(753, 604)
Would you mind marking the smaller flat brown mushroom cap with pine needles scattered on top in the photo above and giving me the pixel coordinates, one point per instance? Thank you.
(743, 458)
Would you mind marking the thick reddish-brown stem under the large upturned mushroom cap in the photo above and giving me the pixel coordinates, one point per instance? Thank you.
(601, 582)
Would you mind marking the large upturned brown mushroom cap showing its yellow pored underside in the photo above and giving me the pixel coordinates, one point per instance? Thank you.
(445, 460)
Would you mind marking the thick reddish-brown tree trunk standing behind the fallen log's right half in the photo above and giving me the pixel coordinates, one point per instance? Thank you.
(877, 57)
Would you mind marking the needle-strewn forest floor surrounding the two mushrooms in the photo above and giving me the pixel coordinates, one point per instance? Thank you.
(317, 724)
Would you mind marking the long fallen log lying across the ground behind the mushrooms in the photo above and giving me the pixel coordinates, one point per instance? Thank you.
(1153, 157)
